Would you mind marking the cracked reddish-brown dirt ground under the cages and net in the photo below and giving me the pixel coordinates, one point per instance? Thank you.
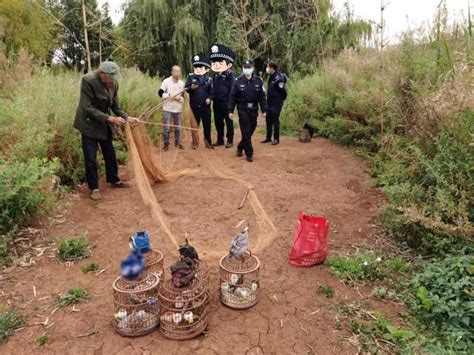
(290, 318)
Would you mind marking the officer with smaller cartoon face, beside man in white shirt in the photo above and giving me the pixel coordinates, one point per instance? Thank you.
(199, 86)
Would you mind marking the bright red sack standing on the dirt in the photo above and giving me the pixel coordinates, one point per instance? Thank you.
(310, 245)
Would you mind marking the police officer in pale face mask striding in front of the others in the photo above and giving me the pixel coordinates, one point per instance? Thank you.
(247, 94)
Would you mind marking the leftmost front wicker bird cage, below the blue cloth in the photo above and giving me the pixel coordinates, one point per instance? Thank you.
(136, 305)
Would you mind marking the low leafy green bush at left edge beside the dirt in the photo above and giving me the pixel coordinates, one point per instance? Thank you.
(27, 191)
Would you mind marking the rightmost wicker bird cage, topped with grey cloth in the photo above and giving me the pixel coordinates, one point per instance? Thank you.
(239, 281)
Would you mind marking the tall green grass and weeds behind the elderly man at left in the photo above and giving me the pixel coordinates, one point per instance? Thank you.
(40, 148)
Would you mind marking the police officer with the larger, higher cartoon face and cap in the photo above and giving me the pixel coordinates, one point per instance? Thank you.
(222, 58)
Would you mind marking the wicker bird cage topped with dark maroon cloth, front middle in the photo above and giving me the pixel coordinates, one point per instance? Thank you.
(183, 311)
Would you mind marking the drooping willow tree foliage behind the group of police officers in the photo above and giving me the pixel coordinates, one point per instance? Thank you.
(299, 33)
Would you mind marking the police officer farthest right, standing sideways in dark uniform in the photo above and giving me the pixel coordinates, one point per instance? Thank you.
(276, 96)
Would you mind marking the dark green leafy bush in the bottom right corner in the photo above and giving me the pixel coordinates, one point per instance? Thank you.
(443, 300)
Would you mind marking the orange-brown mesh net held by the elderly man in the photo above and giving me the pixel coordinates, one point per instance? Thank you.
(147, 169)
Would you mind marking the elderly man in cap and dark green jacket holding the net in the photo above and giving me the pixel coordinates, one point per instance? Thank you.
(98, 99)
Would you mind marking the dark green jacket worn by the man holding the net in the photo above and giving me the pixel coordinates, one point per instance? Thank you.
(94, 107)
